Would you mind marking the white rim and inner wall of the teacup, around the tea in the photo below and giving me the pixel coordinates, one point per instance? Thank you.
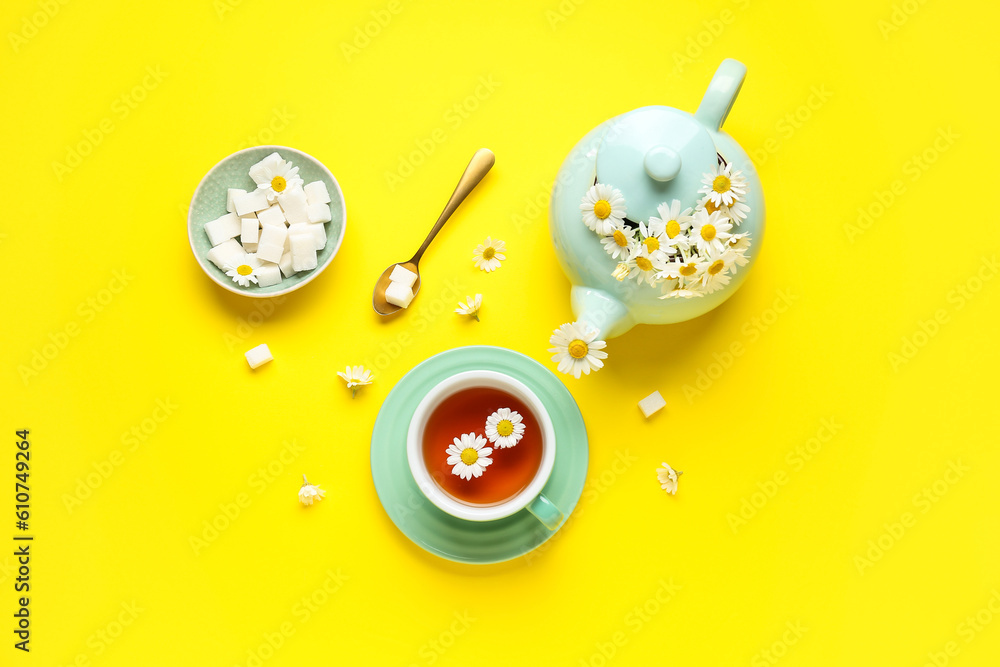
(415, 438)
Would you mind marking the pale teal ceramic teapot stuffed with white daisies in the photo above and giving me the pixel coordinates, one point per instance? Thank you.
(624, 176)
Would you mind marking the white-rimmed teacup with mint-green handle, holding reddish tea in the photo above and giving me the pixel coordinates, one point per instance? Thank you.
(530, 497)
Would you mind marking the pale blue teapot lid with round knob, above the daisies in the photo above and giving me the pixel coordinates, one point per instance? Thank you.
(654, 155)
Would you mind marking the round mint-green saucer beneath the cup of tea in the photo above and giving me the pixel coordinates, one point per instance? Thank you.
(438, 532)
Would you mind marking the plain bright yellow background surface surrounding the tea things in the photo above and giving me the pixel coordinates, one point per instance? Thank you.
(250, 72)
